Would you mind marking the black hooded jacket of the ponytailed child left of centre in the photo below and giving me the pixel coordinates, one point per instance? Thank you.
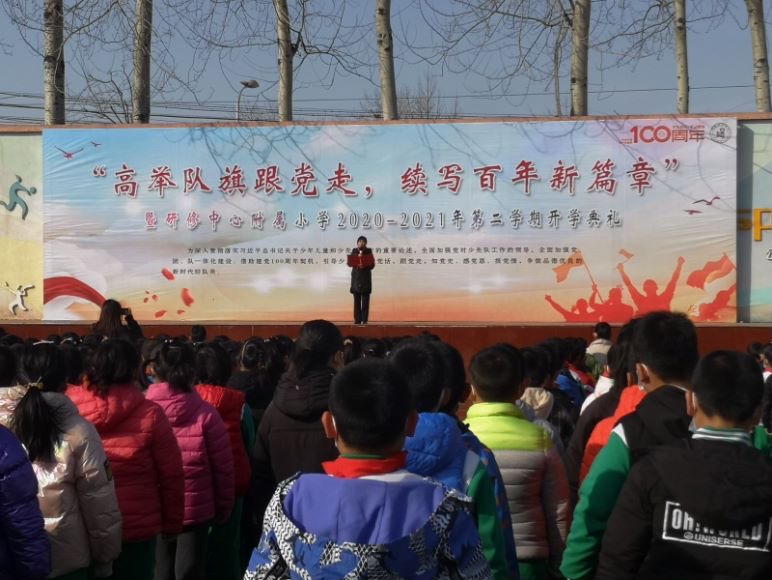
(290, 437)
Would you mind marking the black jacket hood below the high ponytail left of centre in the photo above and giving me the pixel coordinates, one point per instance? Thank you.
(306, 398)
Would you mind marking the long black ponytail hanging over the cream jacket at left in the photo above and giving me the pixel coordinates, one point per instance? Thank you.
(37, 425)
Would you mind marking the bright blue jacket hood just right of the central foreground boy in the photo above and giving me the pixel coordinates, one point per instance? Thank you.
(437, 449)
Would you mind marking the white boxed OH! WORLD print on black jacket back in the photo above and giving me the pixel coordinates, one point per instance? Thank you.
(679, 526)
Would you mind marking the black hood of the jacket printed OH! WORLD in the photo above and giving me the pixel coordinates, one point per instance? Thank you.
(728, 490)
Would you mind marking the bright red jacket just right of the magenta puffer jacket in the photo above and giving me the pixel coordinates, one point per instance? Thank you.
(230, 404)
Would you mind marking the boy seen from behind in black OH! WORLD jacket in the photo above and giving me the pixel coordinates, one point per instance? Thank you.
(701, 508)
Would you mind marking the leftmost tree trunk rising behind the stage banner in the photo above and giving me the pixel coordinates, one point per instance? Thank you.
(53, 61)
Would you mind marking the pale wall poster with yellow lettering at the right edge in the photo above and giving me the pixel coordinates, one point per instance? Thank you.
(754, 222)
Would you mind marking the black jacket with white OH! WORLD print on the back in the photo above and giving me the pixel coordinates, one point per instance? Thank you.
(697, 510)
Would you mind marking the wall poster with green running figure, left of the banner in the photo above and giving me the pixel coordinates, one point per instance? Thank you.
(21, 227)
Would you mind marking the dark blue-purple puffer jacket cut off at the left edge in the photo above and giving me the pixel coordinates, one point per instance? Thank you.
(25, 553)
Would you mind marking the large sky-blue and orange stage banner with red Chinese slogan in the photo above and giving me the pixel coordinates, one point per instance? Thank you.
(469, 222)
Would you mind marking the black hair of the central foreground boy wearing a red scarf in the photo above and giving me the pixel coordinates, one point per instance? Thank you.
(371, 403)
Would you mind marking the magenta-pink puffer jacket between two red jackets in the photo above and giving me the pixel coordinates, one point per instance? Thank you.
(207, 458)
